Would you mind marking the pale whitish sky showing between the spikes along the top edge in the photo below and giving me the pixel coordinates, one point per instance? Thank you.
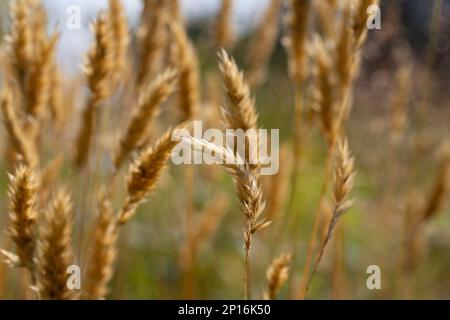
(74, 43)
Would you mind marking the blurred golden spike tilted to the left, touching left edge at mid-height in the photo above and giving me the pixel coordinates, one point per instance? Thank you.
(24, 145)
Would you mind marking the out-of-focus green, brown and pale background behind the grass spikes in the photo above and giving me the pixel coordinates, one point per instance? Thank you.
(394, 172)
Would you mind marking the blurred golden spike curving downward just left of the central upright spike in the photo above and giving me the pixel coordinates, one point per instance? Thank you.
(184, 59)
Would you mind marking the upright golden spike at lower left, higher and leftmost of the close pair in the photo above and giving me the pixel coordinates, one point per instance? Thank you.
(23, 215)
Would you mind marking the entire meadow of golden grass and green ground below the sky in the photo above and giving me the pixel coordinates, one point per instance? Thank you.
(357, 210)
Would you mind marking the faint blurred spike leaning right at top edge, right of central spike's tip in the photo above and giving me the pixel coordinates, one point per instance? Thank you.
(263, 43)
